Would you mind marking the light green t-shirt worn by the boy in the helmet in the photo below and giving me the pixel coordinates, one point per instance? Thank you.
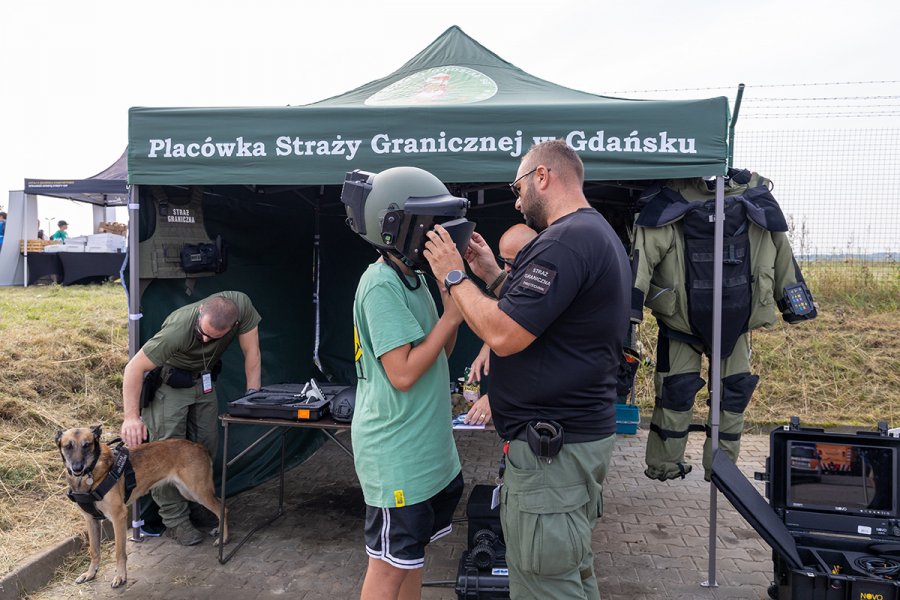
(403, 445)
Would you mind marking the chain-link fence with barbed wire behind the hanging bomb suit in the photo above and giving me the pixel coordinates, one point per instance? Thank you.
(833, 153)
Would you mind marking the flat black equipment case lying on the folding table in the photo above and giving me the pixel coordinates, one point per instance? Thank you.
(293, 401)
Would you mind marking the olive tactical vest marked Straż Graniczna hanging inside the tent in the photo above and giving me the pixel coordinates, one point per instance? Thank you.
(179, 246)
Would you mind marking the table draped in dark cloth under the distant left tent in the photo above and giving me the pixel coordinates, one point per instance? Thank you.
(69, 268)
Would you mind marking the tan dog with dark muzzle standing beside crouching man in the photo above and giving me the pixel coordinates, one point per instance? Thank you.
(185, 464)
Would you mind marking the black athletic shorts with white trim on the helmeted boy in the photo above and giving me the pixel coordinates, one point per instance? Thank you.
(398, 536)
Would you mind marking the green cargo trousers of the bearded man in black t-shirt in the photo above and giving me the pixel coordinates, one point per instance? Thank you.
(548, 512)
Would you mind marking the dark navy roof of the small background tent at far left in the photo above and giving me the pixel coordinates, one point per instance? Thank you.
(107, 188)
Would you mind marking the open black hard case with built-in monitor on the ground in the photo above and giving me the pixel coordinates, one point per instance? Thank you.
(808, 544)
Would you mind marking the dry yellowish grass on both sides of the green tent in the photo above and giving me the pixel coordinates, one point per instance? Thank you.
(62, 352)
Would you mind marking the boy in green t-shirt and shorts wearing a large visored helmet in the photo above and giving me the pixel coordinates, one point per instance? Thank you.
(403, 447)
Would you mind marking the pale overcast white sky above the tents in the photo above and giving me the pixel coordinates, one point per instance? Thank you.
(70, 71)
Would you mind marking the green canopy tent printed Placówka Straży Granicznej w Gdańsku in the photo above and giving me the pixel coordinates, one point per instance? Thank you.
(271, 183)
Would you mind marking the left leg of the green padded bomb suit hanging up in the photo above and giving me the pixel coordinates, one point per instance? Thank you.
(677, 382)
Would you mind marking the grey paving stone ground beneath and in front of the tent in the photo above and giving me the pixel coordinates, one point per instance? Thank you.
(652, 541)
